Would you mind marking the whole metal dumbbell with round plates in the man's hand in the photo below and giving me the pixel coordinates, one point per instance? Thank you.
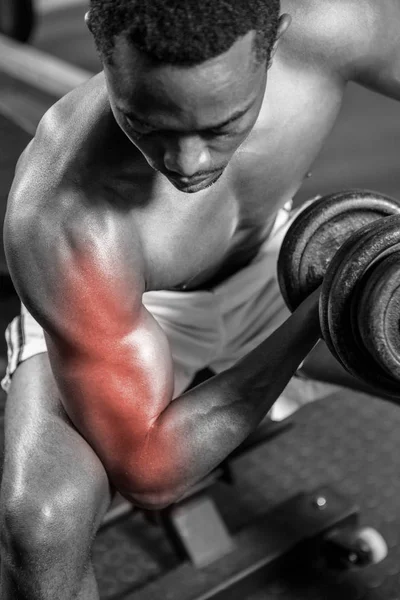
(349, 242)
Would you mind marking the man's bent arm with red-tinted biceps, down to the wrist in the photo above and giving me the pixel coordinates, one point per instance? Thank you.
(114, 370)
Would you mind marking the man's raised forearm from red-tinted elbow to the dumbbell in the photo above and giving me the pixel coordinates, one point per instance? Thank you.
(202, 427)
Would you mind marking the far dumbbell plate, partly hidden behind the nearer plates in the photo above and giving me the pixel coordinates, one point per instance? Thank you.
(318, 231)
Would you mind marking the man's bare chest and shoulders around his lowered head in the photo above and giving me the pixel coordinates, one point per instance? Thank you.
(189, 241)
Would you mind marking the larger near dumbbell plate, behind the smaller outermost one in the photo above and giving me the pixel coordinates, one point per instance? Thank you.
(344, 283)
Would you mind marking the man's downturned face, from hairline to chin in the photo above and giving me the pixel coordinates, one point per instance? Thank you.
(187, 122)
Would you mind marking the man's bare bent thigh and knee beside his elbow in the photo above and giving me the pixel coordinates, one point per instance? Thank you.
(54, 489)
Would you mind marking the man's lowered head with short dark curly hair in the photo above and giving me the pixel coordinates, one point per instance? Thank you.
(178, 70)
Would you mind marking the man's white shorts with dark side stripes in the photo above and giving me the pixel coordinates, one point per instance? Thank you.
(213, 328)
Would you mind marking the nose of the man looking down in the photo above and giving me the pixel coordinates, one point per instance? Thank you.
(187, 156)
